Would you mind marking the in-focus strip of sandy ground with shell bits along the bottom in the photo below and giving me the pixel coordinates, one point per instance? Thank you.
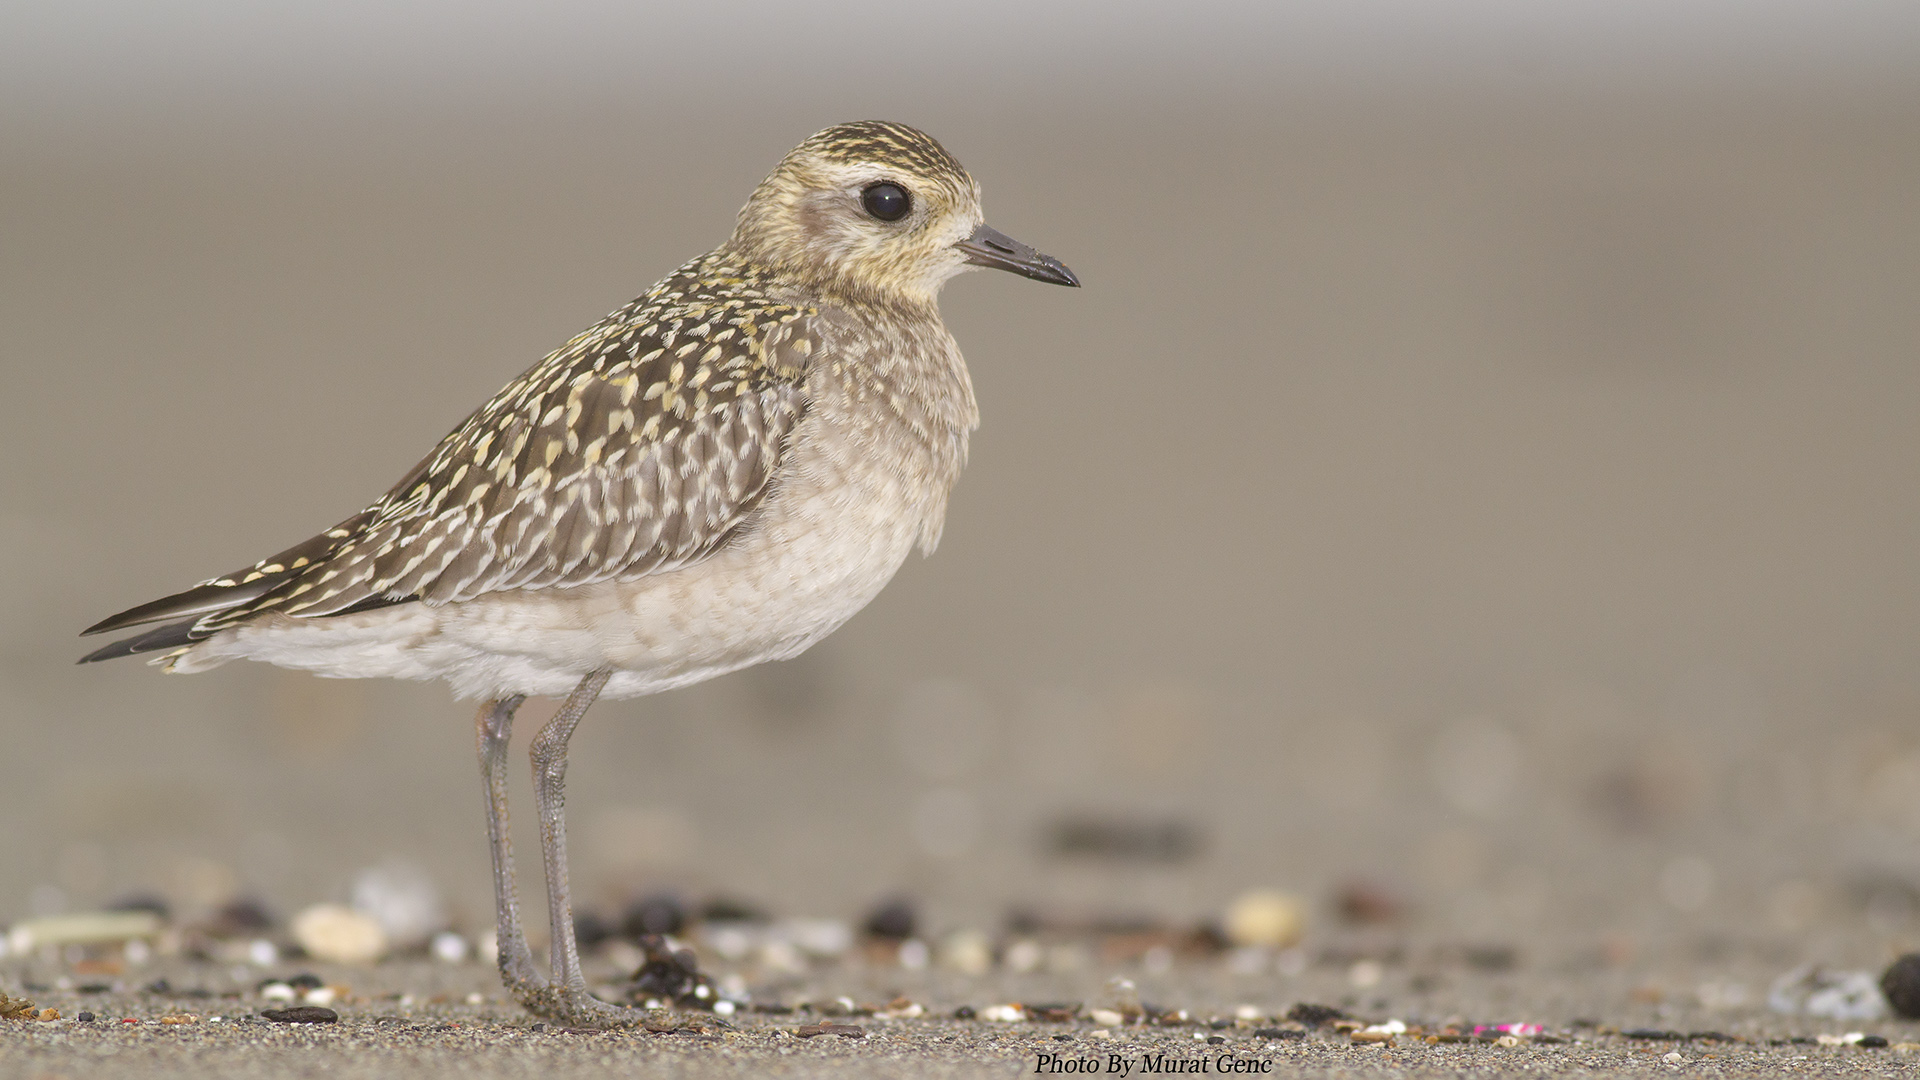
(435, 1019)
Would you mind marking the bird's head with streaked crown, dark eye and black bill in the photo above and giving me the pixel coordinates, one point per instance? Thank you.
(878, 210)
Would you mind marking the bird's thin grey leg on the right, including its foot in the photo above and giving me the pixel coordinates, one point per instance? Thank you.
(567, 998)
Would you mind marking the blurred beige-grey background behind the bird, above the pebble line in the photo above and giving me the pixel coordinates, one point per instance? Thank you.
(1481, 470)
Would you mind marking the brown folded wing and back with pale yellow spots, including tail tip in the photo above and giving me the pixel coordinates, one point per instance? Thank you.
(636, 449)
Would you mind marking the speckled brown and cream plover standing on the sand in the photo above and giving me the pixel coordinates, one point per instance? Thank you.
(715, 476)
